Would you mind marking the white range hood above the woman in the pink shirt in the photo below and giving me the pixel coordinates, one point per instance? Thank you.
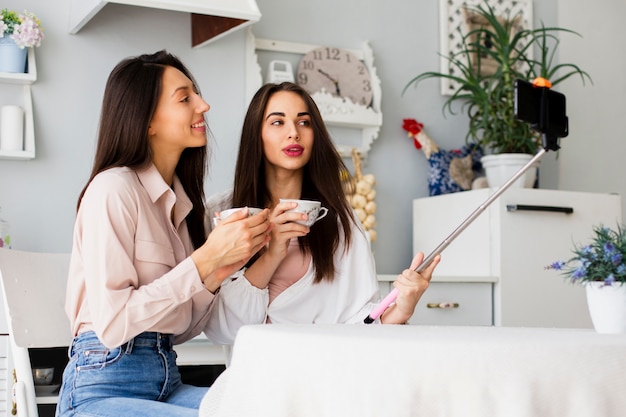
(210, 19)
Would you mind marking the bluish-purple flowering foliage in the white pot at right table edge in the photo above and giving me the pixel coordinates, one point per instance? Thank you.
(603, 260)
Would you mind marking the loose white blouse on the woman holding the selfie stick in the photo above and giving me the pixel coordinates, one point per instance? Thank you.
(349, 298)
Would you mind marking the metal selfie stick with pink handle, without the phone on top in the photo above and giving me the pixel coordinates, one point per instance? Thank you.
(391, 297)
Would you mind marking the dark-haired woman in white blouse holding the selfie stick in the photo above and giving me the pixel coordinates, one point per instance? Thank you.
(319, 274)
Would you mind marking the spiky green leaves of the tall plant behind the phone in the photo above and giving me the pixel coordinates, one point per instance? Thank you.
(493, 54)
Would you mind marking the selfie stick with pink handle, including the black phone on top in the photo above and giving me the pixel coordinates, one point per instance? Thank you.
(549, 142)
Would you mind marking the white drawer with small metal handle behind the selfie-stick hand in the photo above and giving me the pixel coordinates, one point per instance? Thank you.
(453, 304)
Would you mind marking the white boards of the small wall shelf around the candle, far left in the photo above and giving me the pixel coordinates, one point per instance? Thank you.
(26, 79)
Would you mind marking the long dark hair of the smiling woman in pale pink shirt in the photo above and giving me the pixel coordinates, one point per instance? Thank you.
(130, 99)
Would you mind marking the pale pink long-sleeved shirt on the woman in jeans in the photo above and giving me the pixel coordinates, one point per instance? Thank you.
(130, 269)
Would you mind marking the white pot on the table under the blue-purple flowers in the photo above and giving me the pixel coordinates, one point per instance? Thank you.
(607, 307)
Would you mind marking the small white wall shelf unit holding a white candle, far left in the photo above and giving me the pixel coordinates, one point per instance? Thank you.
(16, 90)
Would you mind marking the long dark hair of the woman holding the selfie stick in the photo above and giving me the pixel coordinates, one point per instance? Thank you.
(321, 179)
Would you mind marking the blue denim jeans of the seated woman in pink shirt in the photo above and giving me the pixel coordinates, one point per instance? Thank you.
(139, 378)
